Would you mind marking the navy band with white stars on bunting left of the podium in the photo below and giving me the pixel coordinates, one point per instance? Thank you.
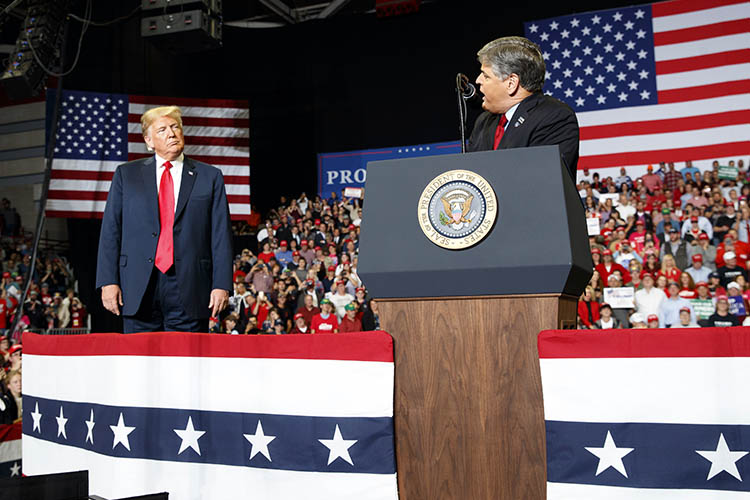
(154, 437)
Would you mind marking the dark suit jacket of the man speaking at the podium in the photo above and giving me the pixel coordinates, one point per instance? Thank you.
(539, 120)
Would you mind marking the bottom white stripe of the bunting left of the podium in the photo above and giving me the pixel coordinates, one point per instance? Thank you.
(204, 482)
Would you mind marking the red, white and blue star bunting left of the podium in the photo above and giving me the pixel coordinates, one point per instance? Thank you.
(213, 417)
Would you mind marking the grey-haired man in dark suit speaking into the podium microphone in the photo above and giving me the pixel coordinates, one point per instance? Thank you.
(517, 114)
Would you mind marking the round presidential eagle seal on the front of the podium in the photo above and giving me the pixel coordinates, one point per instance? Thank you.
(457, 209)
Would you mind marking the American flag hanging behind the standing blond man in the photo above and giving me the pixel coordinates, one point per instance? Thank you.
(99, 131)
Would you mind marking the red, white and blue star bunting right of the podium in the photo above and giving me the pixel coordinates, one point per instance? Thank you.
(647, 414)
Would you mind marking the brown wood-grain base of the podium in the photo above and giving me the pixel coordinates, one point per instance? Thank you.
(468, 406)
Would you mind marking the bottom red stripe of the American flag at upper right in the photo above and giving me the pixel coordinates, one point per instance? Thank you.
(643, 157)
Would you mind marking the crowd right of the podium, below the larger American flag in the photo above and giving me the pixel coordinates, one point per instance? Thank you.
(672, 249)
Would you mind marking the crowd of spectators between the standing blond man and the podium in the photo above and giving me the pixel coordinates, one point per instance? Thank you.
(303, 276)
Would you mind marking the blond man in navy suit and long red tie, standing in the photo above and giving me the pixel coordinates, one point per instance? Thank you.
(165, 251)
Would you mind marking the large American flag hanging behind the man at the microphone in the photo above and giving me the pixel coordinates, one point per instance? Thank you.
(668, 81)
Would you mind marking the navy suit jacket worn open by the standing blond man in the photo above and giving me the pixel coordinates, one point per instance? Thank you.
(202, 234)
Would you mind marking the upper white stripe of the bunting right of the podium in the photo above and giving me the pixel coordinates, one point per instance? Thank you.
(677, 389)
